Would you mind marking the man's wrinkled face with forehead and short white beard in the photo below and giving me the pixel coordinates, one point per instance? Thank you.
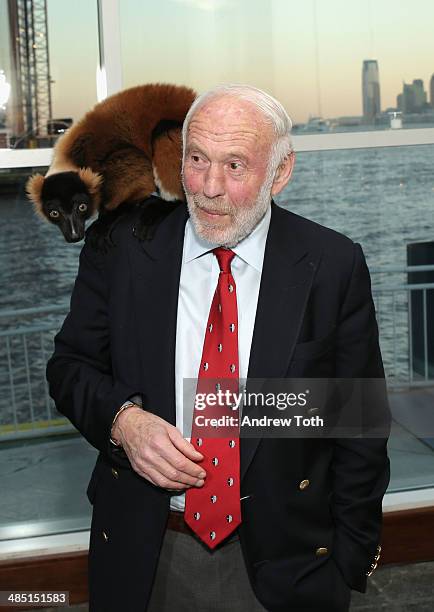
(225, 170)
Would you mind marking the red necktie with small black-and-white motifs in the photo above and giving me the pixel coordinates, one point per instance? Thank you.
(214, 510)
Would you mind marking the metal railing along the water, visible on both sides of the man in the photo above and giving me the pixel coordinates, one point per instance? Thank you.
(26, 342)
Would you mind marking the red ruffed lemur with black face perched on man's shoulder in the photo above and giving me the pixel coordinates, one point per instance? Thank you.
(123, 150)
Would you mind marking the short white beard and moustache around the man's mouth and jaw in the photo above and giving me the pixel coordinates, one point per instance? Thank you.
(244, 219)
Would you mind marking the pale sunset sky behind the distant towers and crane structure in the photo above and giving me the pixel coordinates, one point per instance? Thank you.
(307, 53)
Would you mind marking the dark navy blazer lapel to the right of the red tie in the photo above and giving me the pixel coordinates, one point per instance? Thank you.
(290, 263)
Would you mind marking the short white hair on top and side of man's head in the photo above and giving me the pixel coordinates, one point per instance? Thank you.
(272, 110)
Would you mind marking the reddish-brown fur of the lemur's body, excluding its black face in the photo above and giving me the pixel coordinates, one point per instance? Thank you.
(114, 141)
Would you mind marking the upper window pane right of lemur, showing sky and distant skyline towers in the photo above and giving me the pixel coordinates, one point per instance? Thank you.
(335, 65)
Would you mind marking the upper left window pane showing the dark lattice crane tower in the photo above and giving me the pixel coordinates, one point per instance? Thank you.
(48, 64)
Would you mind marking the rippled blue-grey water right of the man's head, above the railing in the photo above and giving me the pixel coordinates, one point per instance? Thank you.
(382, 198)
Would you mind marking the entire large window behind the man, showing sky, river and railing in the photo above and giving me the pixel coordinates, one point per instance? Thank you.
(354, 172)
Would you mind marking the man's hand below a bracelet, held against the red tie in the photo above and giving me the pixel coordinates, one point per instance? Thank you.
(157, 451)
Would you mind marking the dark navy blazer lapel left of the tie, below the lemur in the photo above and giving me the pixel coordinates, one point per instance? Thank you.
(156, 268)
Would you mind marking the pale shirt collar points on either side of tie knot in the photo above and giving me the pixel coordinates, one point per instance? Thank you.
(251, 249)
